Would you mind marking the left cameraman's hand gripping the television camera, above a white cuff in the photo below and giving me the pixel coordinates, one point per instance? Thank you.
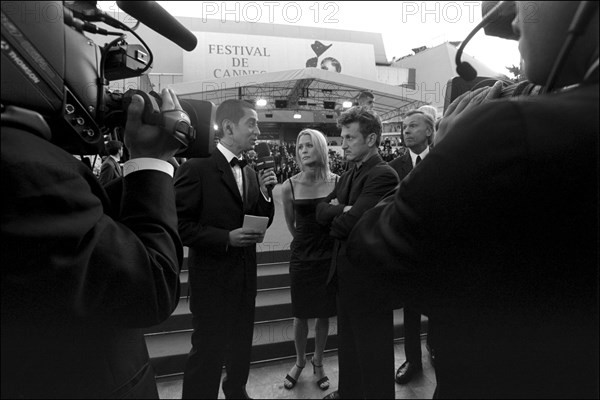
(144, 140)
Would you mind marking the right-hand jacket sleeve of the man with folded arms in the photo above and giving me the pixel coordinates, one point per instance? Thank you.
(381, 180)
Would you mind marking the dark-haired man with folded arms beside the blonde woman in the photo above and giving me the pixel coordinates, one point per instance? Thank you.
(365, 321)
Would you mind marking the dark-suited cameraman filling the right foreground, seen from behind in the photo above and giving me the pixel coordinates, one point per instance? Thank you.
(495, 234)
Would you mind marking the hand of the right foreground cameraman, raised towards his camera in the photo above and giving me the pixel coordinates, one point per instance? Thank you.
(466, 102)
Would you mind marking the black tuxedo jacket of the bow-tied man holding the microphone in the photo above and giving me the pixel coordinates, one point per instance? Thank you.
(209, 206)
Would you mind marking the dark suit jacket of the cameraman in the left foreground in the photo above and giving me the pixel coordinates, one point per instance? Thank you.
(77, 283)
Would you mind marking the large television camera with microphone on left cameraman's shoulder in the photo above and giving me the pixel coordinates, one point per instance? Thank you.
(55, 77)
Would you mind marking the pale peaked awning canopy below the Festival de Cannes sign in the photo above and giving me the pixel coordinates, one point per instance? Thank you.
(309, 89)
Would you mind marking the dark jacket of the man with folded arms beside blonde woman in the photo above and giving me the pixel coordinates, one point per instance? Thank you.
(361, 190)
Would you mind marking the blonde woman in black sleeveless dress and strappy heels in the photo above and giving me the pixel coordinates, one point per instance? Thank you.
(311, 251)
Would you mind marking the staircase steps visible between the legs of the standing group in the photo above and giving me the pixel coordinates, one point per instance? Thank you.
(170, 342)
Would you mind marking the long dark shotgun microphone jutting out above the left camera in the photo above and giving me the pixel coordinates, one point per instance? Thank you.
(159, 20)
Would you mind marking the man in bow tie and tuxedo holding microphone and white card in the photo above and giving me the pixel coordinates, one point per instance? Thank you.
(213, 195)
